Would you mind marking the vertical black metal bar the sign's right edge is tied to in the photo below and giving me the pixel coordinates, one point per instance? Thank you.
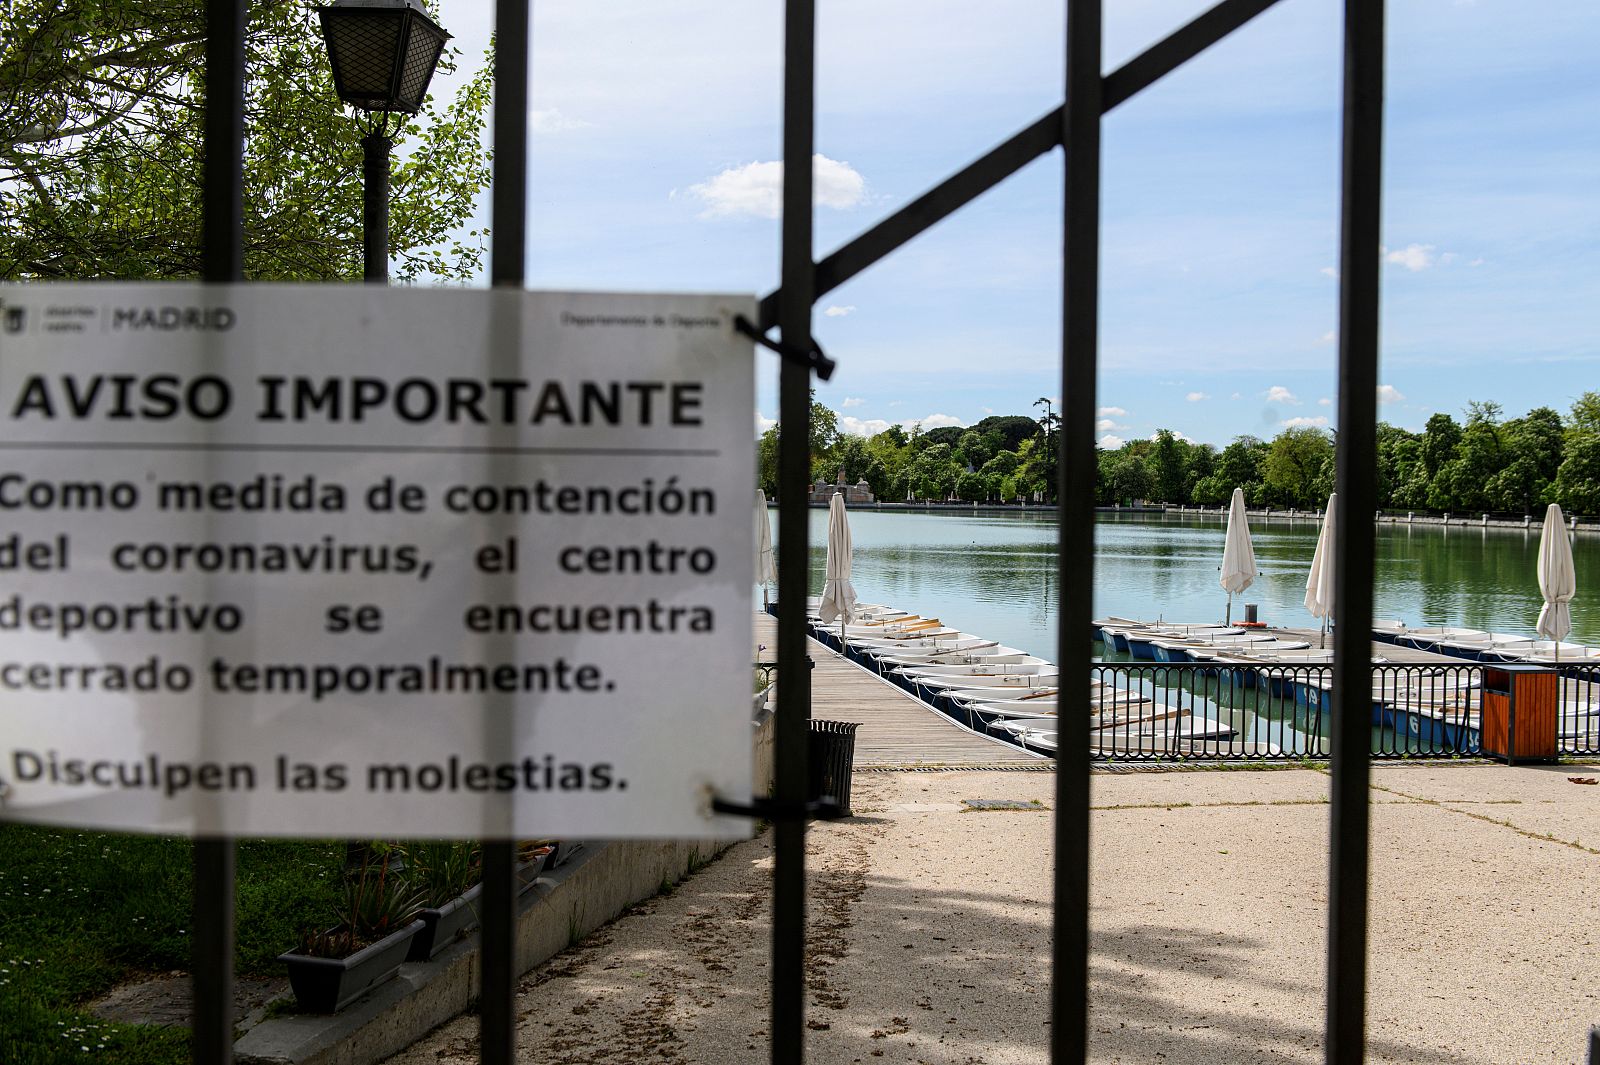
(794, 549)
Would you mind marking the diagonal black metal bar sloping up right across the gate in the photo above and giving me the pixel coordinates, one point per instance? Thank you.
(1017, 153)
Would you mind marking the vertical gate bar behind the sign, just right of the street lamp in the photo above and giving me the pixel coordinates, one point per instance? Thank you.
(508, 268)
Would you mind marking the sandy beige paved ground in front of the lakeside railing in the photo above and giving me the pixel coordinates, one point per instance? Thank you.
(930, 930)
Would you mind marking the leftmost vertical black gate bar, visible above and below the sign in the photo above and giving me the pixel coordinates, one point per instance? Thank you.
(223, 261)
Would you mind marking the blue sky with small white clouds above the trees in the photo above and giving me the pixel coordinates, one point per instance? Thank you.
(655, 166)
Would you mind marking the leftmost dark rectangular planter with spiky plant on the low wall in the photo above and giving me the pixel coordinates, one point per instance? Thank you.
(377, 923)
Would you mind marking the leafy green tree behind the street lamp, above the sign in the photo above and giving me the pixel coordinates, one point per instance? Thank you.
(102, 119)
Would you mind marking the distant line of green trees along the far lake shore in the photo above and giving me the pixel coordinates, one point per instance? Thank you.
(1487, 463)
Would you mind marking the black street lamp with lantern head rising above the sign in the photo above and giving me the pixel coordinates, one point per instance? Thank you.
(383, 55)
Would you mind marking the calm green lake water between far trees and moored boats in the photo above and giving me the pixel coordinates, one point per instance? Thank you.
(996, 575)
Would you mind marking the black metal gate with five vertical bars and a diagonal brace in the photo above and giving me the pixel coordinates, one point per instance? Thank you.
(1076, 129)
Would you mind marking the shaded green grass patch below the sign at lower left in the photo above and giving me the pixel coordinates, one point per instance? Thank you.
(82, 912)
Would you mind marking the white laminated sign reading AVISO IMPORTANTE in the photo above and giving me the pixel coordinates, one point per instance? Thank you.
(361, 562)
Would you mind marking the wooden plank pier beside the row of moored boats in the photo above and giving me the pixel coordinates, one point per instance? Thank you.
(897, 732)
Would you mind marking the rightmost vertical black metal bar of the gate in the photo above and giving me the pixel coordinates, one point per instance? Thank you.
(1354, 538)
